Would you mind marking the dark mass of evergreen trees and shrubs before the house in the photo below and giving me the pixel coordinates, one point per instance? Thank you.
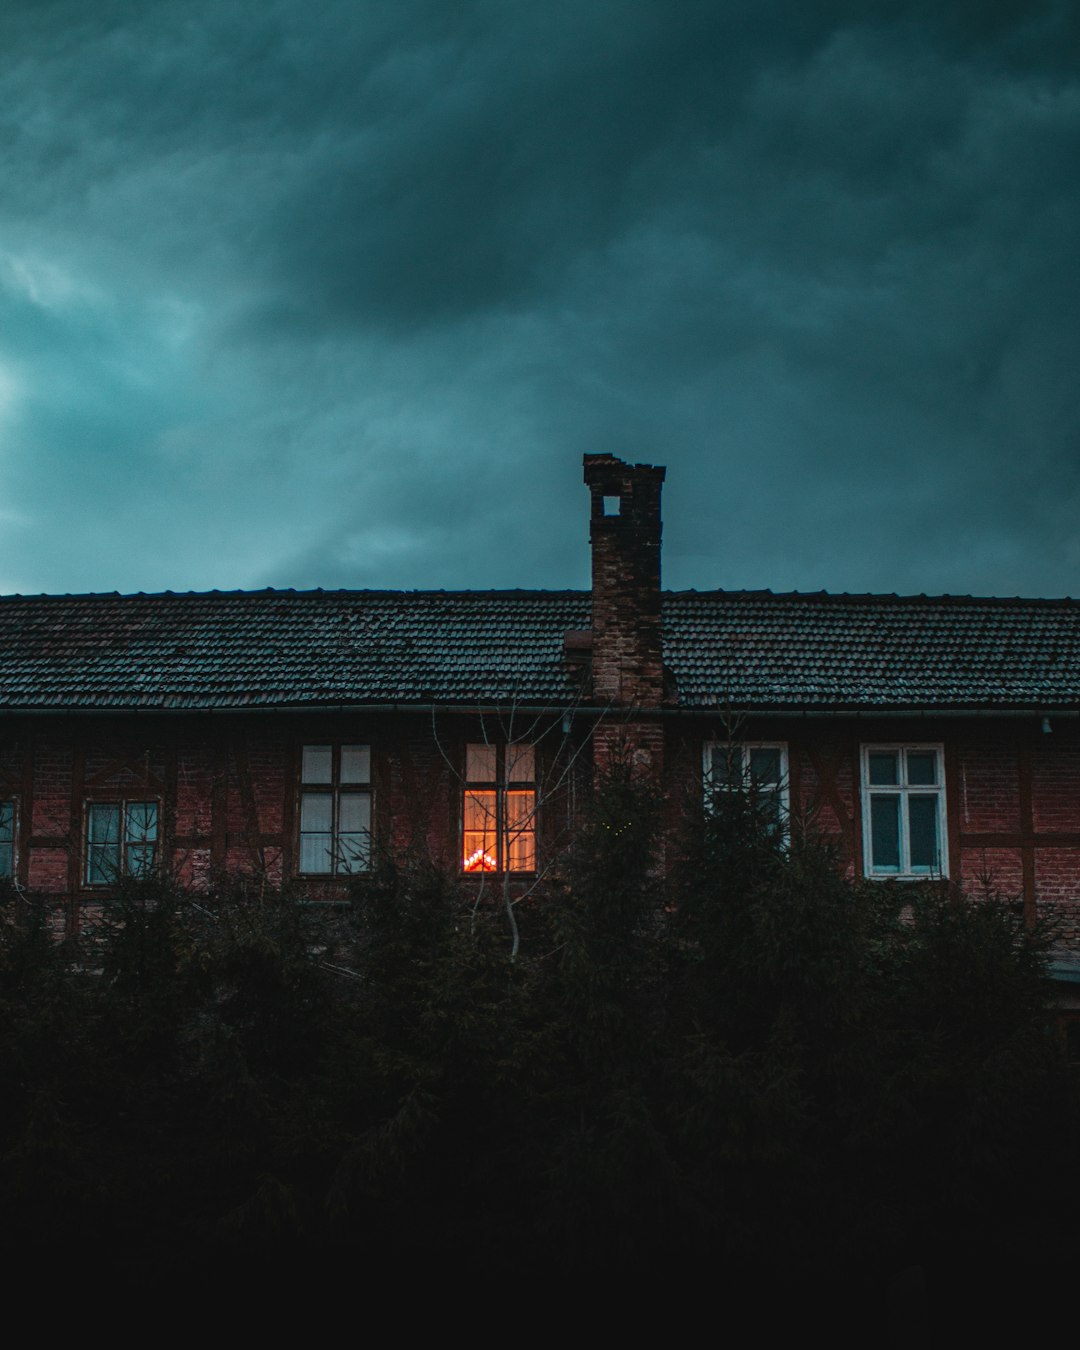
(728, 1058)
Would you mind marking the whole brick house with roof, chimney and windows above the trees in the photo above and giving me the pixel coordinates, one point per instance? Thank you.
(298, 732)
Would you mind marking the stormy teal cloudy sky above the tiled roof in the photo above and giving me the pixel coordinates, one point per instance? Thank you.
(338, 294)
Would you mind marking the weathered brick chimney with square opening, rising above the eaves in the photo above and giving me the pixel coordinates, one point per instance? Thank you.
(626, 535)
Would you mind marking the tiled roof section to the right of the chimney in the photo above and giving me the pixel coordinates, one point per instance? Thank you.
(758, 650)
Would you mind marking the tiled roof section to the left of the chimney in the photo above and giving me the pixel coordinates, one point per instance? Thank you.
(272, 649)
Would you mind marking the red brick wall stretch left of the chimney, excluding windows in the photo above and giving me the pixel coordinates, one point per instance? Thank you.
(229, 788)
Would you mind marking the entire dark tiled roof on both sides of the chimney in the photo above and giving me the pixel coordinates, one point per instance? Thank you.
(747, 650)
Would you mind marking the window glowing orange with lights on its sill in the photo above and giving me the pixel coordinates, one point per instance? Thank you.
(499, 813)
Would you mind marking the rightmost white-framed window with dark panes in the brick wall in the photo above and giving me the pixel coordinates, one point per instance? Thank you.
(904, 811)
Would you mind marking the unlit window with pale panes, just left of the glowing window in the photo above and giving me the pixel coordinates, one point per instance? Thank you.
(335, 809)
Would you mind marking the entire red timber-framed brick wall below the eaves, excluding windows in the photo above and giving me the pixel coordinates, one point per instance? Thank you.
(229, 788)
